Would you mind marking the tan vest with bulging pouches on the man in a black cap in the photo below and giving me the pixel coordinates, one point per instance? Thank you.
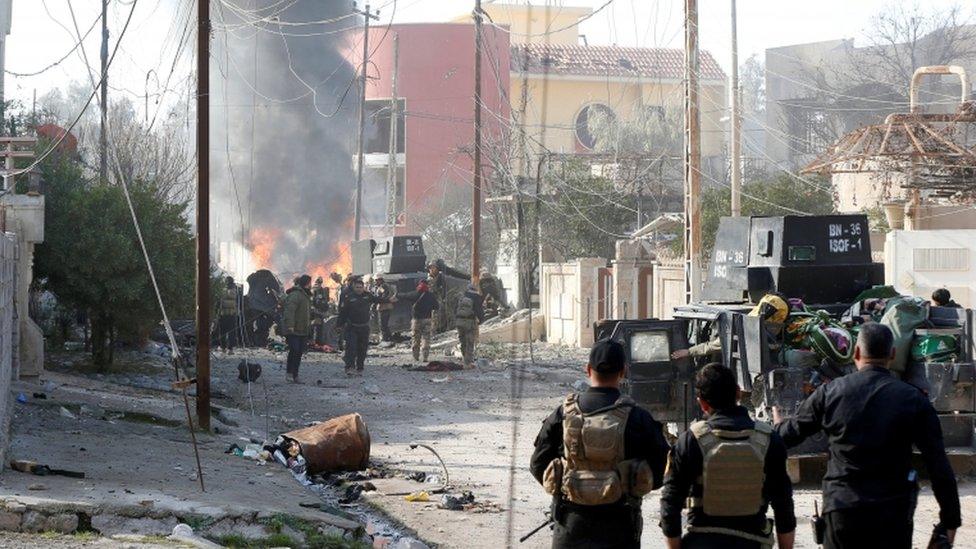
(594, 471)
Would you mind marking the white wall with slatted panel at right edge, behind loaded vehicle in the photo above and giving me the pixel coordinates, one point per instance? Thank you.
(917, 262)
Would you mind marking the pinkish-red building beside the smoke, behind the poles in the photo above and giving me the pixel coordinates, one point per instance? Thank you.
(435, 88)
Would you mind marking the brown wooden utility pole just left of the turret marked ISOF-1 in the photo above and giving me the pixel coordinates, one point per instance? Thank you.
(692, 155)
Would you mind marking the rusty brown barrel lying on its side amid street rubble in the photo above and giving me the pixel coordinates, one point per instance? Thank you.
(340, 444)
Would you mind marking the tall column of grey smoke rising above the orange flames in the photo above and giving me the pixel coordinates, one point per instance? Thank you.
(284, 121)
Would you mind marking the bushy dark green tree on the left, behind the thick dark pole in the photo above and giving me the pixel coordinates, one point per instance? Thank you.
(91, 258)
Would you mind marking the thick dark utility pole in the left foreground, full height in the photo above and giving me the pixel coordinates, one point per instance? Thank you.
(203, 214)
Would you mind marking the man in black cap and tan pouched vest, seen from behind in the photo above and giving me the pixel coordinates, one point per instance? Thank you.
(598, 454)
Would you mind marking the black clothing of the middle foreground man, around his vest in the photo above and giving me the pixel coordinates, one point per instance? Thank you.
(683, 479)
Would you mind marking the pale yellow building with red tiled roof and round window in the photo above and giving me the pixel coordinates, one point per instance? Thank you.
(568, 80)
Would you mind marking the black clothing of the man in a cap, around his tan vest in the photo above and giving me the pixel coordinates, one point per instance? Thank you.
(615, 525)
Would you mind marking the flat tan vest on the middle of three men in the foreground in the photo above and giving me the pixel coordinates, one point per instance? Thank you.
(733, 469)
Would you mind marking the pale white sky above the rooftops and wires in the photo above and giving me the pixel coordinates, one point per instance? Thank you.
(37, 37)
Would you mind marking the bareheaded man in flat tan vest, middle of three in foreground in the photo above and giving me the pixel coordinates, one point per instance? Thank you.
(726, 470)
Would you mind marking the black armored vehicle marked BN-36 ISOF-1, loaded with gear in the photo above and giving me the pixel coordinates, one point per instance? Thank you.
(825, 261)
